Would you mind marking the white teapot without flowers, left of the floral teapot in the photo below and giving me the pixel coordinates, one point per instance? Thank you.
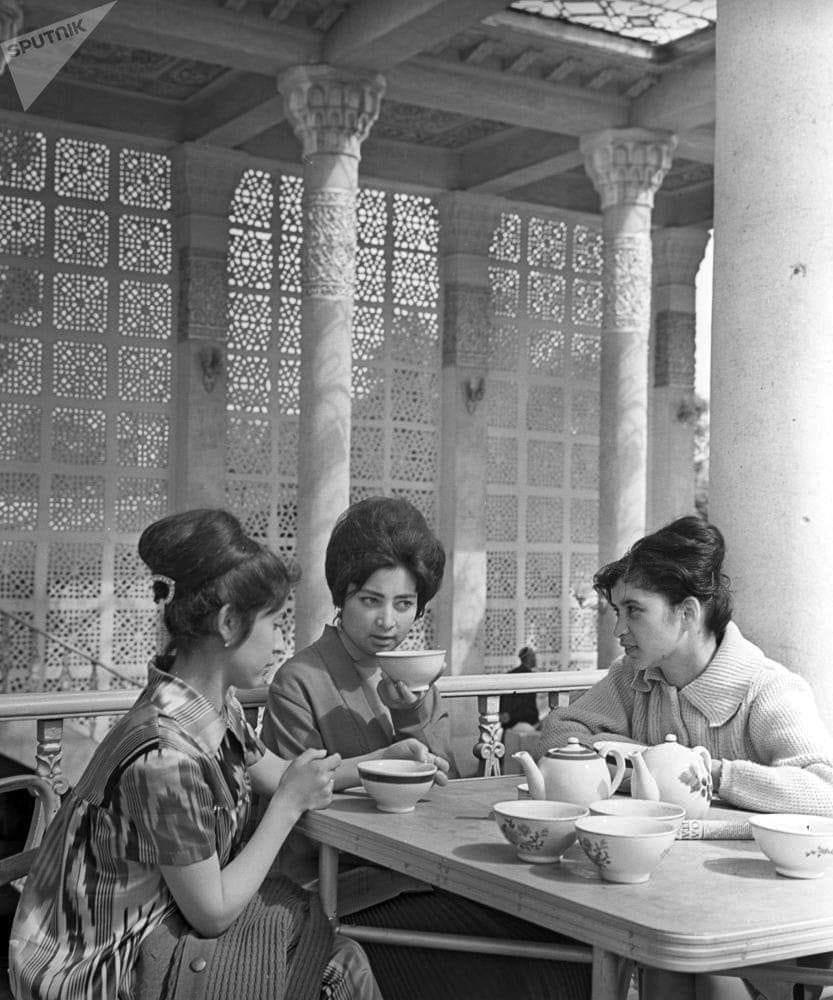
(574, 773)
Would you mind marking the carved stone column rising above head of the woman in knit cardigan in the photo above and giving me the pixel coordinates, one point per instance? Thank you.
(626, 166)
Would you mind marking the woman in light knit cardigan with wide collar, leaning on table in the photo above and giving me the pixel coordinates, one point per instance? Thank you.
(687, 670)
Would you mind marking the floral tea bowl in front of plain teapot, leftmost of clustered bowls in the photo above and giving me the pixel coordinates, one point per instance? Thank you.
(540, 831)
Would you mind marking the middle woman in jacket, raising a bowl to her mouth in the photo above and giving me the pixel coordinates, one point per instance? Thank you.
(383, 565)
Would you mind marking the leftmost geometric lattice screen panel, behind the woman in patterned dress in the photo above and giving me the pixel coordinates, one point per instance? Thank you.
(86, 382)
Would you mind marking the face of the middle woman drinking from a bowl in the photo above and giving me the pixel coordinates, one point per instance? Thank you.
(378, 615)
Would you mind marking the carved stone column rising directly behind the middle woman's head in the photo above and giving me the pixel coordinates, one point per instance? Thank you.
(331, 111)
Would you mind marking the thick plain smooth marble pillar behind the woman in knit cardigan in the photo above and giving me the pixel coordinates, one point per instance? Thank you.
(771, 468)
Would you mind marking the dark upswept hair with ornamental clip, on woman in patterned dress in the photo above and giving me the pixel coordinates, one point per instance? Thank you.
(212, 562)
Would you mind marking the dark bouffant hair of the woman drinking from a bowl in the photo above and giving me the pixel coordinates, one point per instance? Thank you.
(379, 533)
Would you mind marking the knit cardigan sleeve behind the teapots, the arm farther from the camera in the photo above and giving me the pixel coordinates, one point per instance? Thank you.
(606, 708)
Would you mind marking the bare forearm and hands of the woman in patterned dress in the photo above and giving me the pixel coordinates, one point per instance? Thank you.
(209, 897)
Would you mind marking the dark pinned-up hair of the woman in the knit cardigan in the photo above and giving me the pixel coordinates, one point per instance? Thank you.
(683, 559)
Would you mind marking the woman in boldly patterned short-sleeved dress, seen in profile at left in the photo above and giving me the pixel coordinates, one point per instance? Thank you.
(146, 884)
